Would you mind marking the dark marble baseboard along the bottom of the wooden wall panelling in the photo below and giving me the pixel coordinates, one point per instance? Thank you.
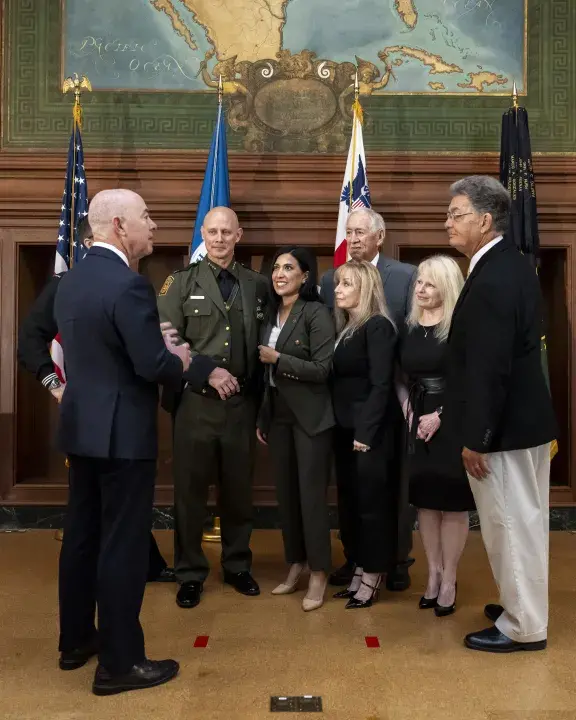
(31, 517)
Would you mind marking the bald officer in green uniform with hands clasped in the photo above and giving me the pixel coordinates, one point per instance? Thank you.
(216, 306)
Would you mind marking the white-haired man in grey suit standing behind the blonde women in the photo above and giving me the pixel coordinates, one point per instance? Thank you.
(365, 233)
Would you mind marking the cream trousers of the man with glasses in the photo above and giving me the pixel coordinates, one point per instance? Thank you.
(513, 506)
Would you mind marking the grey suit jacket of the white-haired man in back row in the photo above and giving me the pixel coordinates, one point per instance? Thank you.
(397, 279)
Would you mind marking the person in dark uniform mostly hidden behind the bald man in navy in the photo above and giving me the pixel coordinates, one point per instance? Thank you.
(36, 334)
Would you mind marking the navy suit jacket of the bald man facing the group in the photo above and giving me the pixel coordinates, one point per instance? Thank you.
(115, 357)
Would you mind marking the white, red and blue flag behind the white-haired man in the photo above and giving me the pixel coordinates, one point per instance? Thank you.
(355, 191)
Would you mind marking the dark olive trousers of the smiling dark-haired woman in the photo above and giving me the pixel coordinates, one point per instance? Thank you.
(302, 468)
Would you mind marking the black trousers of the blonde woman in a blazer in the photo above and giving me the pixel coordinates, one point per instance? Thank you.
(367, 503)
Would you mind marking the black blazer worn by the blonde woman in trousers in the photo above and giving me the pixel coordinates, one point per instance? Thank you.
(363, 380)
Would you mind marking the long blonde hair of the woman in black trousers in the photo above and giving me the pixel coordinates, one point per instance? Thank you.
(372, 302)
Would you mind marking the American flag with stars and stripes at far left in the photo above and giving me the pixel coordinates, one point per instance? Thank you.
(74, 208)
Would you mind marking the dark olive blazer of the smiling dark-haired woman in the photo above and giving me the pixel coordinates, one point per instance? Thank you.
(306, 346)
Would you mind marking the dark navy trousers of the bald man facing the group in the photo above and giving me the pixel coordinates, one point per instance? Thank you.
(104, 557)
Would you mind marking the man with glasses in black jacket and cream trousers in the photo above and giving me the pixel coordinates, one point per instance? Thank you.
(498, 404)
